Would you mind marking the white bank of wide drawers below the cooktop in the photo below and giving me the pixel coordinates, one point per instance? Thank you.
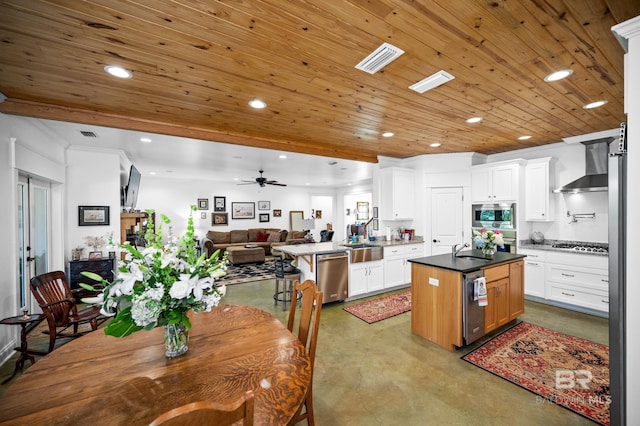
(578, 279)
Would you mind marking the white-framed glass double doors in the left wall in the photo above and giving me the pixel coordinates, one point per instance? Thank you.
(33, 235)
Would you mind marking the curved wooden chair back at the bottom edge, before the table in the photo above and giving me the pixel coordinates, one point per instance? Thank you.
(209, 413)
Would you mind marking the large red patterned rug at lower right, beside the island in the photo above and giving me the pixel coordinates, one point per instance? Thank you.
(559, 369)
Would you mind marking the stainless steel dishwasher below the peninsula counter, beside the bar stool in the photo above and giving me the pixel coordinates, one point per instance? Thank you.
(332, 275)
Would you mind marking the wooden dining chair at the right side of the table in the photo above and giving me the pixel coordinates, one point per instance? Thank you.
(308, 326)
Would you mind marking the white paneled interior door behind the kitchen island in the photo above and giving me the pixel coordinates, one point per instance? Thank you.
(446, 219)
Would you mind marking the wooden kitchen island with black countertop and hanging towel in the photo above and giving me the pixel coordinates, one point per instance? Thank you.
(443, 305)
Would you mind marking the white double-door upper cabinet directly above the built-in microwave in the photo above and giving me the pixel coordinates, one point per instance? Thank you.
(494, 183)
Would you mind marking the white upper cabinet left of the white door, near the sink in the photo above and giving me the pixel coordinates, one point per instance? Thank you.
(397, 193)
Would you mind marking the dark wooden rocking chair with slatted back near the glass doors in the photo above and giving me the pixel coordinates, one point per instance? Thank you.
(54, 296)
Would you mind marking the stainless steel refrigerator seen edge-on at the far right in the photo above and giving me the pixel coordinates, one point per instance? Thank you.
(617, 276)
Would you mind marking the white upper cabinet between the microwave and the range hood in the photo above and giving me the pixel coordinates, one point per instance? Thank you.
(538, 199)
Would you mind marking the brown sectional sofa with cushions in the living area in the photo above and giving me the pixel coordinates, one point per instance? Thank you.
(262, 237)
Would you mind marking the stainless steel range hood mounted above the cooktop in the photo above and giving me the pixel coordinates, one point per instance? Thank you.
(596, 165)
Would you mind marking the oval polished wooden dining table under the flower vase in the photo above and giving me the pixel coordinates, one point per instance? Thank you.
(102, 380)
